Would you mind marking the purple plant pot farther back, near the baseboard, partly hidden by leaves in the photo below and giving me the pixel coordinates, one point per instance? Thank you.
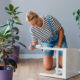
(15, 54)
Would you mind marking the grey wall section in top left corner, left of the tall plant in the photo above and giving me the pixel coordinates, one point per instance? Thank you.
(3, 15)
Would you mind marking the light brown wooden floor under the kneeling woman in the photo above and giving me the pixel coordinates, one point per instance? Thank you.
(31, 68)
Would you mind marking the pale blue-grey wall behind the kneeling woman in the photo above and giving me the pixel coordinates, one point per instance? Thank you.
(61, 9)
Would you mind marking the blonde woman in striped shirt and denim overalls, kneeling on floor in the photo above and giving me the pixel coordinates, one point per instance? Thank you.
(50, 33)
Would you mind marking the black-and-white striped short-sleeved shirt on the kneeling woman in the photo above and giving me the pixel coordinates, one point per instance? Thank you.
(44, 33)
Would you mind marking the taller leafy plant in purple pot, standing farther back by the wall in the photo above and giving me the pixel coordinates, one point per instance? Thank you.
(10, 26)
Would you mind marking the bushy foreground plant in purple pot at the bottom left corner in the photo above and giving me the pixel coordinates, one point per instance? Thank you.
(7, 65)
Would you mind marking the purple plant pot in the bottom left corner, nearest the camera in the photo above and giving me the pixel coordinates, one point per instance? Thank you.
(7, 73)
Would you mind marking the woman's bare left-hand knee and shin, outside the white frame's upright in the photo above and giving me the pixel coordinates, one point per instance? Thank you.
(48, 62)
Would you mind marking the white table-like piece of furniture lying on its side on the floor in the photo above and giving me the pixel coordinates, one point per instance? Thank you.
(70, 63)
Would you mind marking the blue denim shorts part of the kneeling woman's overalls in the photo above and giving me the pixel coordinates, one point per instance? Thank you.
(52, 44)
